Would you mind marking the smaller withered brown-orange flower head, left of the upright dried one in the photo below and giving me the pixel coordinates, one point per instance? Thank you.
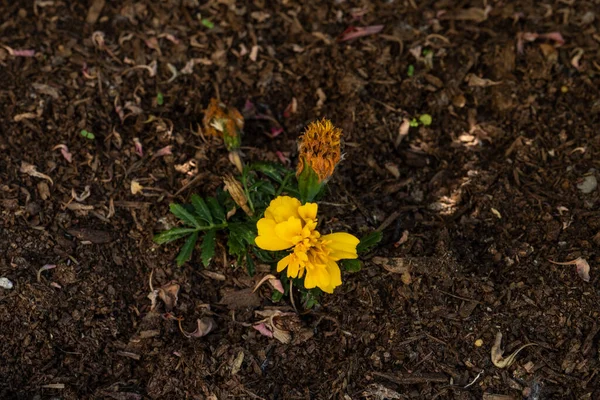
(224, 122)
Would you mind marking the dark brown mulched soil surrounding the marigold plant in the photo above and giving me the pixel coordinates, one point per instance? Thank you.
(472, 206)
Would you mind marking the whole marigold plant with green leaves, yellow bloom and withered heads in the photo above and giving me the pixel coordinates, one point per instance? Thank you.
(277, 223)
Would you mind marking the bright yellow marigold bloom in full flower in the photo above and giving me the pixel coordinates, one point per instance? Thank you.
(289, 225)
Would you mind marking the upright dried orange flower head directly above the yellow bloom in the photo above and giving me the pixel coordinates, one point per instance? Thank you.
(320, 148)
